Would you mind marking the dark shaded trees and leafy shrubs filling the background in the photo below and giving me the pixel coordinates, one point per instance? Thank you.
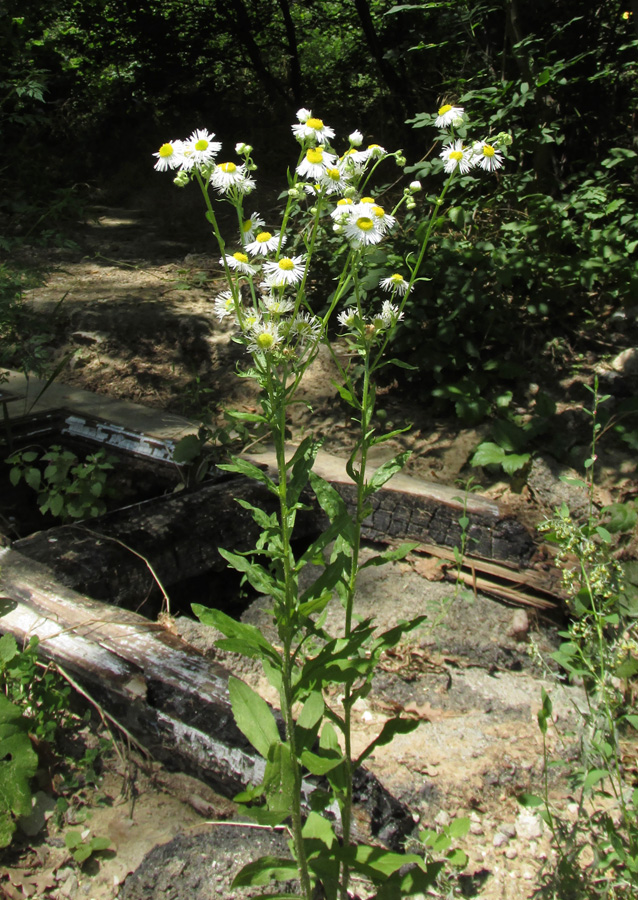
(527, 268)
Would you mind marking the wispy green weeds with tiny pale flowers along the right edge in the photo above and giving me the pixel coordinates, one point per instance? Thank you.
(597, 850)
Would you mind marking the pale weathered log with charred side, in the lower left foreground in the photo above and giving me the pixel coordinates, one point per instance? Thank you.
(164, 692)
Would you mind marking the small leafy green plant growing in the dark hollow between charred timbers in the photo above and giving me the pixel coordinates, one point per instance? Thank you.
(66, 487)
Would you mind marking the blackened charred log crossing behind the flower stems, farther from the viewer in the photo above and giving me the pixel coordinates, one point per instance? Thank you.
(179, 535)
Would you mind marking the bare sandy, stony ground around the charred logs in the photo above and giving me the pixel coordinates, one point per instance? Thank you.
(137, 312)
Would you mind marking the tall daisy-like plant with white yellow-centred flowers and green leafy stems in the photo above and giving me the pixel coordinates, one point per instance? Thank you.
(268, 300)
